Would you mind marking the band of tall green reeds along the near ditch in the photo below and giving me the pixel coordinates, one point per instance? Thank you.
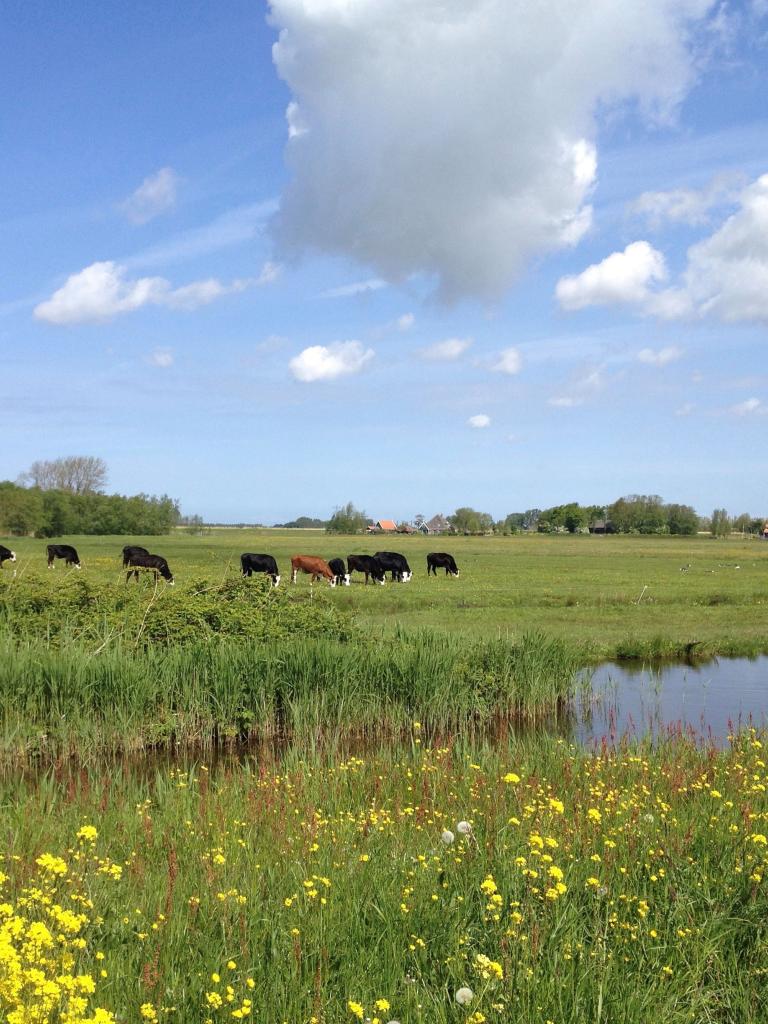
(58, 701)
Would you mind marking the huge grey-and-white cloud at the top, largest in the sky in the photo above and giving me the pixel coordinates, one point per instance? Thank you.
(455, 139)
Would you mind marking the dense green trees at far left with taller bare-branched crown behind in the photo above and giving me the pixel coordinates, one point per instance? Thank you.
(65, 496)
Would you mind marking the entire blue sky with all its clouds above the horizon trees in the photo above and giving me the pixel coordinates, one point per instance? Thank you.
(414, 254)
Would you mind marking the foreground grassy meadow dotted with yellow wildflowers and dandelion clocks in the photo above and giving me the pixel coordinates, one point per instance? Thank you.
(518, 881)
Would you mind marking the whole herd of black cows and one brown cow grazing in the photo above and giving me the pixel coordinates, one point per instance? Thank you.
(375, 567)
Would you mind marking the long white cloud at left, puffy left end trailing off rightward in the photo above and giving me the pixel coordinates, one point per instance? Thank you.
(104, 290)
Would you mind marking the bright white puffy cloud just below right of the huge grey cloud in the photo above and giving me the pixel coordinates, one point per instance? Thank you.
(621, 278)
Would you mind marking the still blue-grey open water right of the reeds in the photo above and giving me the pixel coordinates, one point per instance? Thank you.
(707, 701)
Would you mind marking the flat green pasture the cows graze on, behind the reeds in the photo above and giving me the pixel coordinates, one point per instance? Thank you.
(611, 595)
